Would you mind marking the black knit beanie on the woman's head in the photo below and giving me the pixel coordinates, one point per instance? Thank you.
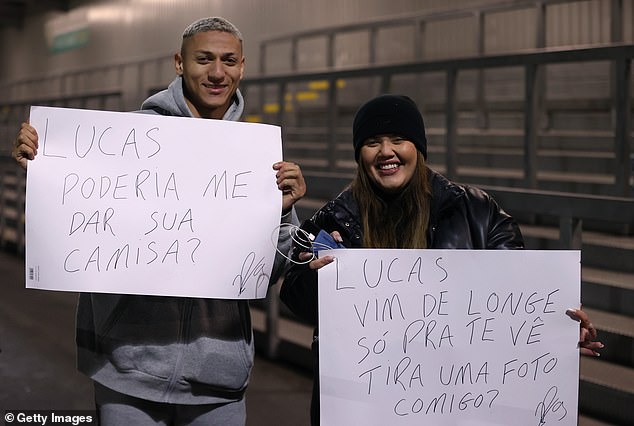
(389, 114)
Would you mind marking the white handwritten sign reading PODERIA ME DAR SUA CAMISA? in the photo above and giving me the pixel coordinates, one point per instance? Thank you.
(143, 204)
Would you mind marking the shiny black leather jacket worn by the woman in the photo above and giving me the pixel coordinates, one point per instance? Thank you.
(462, 217)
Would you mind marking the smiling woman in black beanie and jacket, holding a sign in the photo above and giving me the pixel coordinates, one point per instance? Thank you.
(396, 201)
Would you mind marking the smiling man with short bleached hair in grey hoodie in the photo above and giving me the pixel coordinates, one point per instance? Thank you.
(171, 360)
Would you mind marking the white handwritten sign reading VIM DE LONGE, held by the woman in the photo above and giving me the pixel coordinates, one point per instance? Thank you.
(449, 337)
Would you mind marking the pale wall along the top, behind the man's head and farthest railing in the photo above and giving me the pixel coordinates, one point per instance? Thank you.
(131, 31)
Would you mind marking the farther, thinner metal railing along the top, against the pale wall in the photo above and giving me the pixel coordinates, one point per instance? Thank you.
(537, 13)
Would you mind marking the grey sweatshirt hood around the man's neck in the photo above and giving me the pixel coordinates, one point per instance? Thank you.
(171, 101)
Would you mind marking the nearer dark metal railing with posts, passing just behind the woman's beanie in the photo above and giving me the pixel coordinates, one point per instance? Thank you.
(533, 65)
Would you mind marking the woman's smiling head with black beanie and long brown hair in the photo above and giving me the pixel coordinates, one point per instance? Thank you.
(392, 182)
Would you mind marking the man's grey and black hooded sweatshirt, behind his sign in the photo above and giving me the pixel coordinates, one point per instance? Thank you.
(171, 349)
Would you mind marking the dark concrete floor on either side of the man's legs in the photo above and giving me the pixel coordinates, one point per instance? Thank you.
(37, 359)
